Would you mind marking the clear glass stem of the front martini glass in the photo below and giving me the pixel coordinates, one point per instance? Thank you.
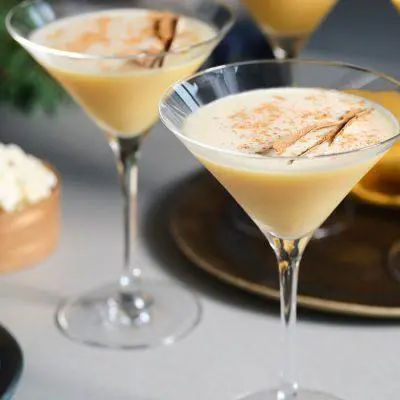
(288, 253)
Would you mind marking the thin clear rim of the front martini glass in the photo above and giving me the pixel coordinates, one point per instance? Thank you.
(336, 64)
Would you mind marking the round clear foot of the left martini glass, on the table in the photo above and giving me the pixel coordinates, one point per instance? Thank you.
(161, 314)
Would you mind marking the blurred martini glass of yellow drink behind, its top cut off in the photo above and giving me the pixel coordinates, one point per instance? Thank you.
(287, 24)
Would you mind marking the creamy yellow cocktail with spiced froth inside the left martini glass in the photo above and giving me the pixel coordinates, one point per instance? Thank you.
(122, 94)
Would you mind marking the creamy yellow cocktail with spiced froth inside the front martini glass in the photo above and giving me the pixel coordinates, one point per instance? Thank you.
(292, 200)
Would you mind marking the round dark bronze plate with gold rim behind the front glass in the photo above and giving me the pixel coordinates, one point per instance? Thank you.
(356, 272)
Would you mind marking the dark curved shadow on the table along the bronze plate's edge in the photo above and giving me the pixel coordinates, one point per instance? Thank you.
(158, 239)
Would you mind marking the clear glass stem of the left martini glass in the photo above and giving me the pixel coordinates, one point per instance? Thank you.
(126, 151)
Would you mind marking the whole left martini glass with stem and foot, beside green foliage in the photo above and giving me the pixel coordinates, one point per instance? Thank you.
(123, 101)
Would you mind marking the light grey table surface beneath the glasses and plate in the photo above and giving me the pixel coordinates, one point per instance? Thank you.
(235, 349)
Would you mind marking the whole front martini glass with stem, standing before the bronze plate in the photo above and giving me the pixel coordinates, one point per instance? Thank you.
(301, 199)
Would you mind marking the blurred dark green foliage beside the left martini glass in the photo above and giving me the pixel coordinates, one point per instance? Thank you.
(24, 84)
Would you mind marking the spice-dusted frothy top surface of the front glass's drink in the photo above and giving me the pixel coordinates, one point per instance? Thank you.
(290, 122)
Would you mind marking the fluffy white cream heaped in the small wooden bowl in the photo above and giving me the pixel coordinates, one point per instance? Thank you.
(24, 179)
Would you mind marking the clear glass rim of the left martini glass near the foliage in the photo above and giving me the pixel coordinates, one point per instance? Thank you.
(25, 42)
